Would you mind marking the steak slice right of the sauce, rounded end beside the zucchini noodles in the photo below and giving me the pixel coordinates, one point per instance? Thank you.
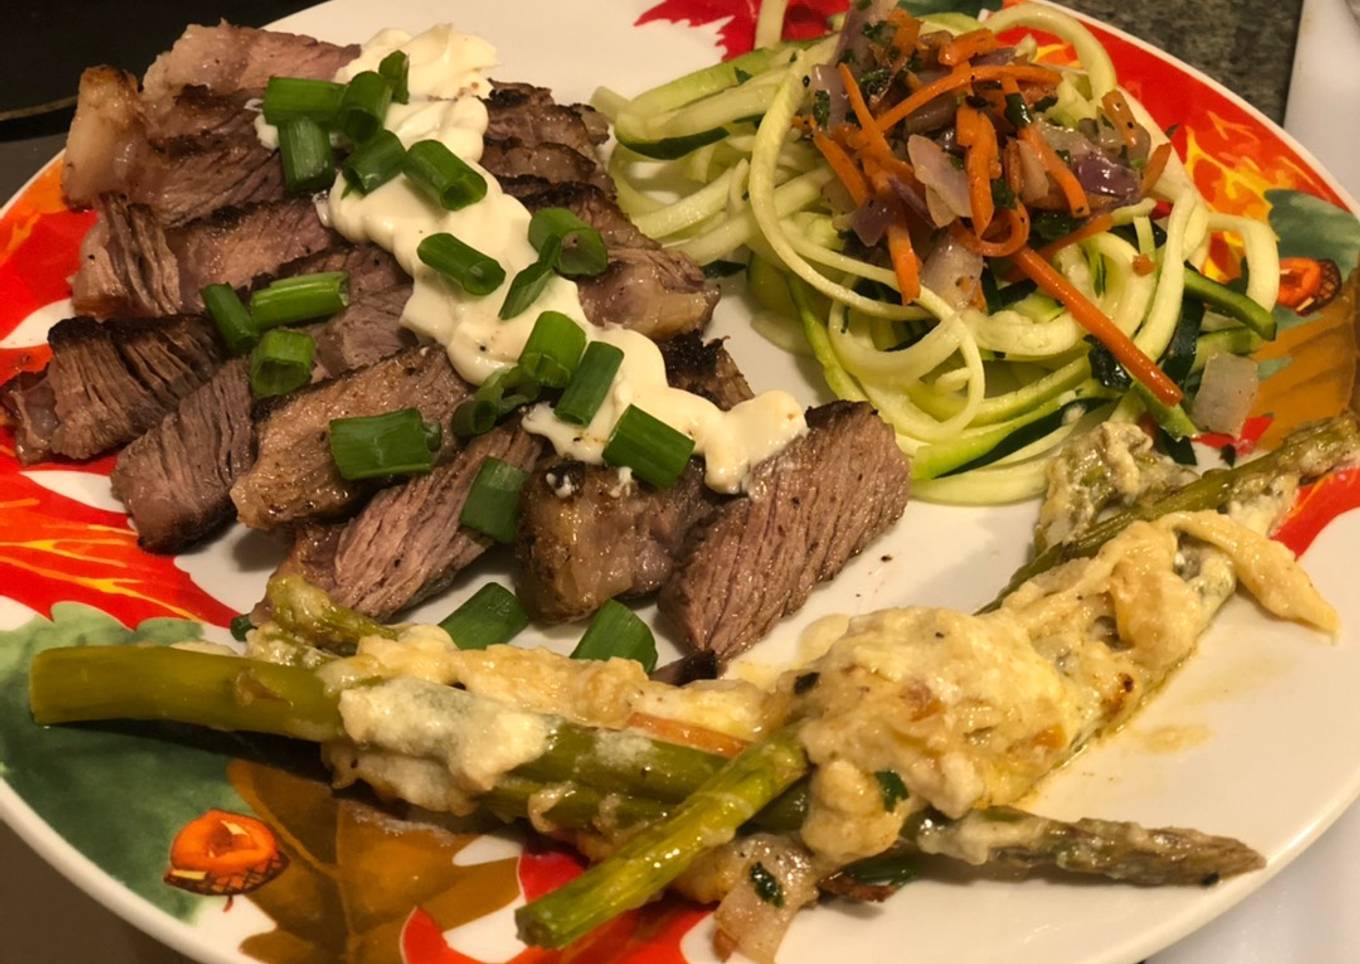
(649, 289)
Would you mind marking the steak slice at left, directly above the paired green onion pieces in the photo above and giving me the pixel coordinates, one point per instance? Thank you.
(134, 264)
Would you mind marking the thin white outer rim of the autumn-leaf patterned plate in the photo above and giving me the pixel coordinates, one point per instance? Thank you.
(186, 937)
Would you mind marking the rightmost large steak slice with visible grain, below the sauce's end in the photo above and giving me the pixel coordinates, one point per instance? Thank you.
(809, 511)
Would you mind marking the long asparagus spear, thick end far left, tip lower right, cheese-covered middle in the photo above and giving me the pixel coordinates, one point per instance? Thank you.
(92, 683)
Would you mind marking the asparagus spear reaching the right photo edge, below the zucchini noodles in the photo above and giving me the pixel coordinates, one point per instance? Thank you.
(1309, 452)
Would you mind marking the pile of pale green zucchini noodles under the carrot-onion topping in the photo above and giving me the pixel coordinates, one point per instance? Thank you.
(981, 396)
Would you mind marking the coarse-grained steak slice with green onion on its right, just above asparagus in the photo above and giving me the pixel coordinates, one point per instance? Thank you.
(407, 545)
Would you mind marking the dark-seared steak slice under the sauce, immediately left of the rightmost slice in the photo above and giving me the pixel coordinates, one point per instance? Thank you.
(585, 536)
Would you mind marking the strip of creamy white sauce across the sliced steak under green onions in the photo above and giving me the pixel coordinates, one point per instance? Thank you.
(447, 74)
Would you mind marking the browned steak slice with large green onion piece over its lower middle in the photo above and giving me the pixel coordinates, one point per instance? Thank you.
(294, 478)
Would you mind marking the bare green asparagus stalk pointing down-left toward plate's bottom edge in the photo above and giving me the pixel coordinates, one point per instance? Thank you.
(647, 864)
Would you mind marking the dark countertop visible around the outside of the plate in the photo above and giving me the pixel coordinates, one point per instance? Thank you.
(1248, 46)
